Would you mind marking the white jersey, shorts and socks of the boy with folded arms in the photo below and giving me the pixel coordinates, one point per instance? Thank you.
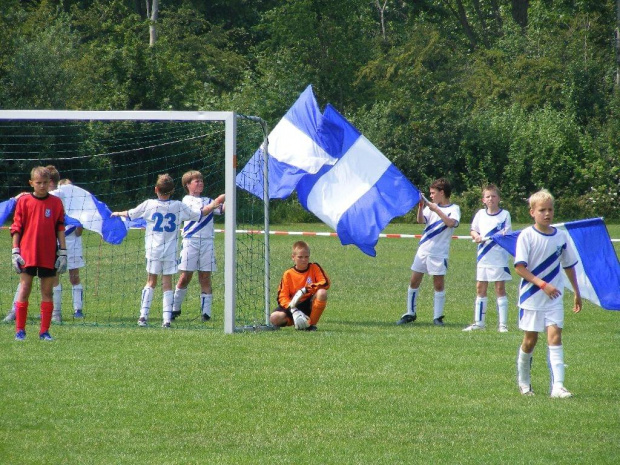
(492, 264)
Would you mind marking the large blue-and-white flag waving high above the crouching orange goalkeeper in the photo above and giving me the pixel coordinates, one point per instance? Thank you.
(340, 176)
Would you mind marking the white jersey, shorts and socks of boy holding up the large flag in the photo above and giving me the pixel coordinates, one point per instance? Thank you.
(432, 258)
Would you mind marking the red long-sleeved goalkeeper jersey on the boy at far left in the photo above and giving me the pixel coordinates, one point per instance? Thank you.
(37, 220)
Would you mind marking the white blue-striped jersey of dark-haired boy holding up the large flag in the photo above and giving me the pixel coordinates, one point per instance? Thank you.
(437, 236)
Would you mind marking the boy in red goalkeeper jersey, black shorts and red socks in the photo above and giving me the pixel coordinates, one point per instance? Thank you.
(38, 226)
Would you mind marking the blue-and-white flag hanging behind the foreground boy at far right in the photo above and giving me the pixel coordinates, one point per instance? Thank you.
(598, 270)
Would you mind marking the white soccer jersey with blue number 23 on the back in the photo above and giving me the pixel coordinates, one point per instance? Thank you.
(163, 219)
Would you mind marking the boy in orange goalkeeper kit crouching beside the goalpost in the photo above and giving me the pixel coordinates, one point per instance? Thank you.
(302, 294)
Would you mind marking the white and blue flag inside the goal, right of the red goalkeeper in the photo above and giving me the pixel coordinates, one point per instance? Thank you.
(93, 214)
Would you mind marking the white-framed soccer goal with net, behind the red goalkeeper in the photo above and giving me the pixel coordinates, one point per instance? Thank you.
(117, 156)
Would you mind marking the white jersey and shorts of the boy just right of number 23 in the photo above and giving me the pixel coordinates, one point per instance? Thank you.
(197, 250)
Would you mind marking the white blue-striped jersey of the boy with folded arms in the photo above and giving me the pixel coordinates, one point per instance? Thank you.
(490, 254)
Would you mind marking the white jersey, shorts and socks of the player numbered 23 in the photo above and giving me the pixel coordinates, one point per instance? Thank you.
(163, 219)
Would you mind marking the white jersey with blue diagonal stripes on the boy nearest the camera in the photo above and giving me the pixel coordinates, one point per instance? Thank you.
(543, 254)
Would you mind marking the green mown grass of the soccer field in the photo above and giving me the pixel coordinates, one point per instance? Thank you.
(360, 390)
